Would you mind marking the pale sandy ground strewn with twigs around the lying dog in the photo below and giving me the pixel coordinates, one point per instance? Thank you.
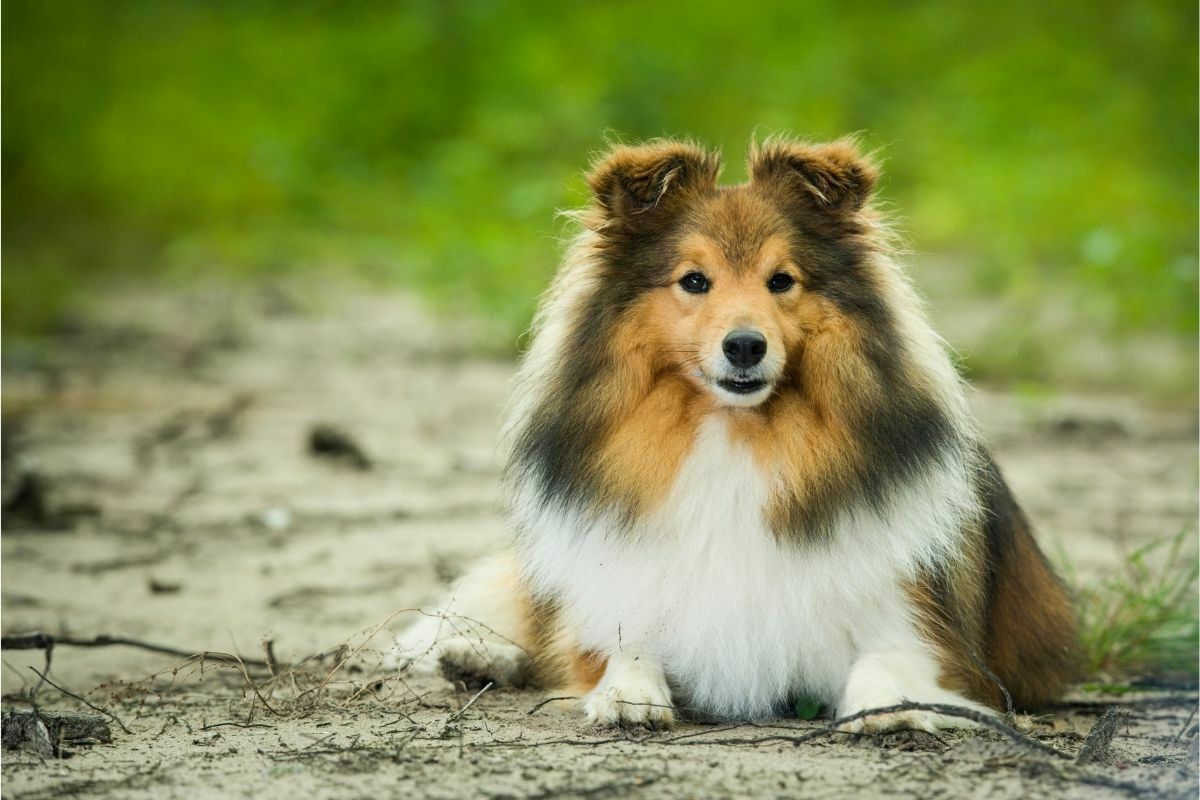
(181, 504)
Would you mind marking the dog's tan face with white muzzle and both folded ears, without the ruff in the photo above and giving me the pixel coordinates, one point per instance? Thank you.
(719, 280)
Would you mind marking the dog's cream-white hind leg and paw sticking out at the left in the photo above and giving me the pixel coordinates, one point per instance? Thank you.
(479, 634)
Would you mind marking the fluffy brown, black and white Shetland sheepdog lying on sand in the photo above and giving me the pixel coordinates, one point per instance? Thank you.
(742, 471)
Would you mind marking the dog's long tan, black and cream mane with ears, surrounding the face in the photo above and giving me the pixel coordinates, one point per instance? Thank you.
(875, 405)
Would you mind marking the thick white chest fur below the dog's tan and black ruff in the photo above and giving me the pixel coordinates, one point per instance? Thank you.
(739, 621)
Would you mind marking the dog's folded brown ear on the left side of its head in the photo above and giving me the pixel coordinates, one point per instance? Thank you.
(634, 185)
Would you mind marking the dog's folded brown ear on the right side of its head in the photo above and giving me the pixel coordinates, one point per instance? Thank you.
(830, 179)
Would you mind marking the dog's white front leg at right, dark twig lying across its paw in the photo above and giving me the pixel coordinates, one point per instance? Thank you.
(891, 677)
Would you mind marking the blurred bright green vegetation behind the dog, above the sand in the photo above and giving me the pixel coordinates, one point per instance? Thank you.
(1042, 157)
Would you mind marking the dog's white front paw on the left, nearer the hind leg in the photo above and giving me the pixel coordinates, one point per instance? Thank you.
(633, 693)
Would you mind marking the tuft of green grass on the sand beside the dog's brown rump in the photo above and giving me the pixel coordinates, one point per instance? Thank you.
(1143, 619)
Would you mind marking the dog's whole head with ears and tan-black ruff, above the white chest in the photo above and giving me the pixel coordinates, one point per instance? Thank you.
(775, 304)
